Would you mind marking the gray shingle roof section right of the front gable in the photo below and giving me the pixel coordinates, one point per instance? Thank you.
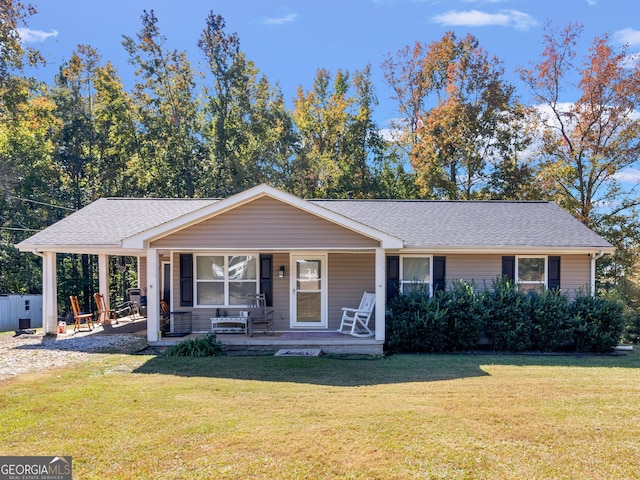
(467, 224)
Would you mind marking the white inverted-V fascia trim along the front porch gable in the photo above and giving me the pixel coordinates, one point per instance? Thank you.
(142, 240)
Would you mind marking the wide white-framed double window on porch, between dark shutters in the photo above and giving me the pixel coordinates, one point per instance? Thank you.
(224, 279)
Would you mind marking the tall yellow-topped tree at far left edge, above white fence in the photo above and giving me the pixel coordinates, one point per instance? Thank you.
(27, 129)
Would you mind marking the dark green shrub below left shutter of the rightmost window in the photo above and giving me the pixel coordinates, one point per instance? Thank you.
(506, 315)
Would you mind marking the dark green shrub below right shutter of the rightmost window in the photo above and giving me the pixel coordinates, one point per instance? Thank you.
(551, 326)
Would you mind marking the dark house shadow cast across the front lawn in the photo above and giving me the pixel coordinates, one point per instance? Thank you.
(359, 370)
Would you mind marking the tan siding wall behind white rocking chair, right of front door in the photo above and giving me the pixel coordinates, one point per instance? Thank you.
(350, 275)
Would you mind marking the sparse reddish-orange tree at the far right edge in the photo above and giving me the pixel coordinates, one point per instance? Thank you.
(586, 142)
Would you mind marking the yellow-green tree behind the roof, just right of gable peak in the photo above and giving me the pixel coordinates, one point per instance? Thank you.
(341, 150)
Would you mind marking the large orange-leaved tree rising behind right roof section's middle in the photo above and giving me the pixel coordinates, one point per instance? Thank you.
(461, 116)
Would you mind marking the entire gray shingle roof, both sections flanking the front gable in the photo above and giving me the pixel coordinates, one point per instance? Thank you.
(418, 223)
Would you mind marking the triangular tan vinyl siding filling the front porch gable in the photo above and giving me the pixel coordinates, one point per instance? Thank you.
(262, 224)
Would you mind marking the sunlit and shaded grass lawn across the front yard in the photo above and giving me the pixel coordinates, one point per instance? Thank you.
(403, 417)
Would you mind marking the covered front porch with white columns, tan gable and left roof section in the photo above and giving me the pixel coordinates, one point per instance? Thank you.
(201, 262)
